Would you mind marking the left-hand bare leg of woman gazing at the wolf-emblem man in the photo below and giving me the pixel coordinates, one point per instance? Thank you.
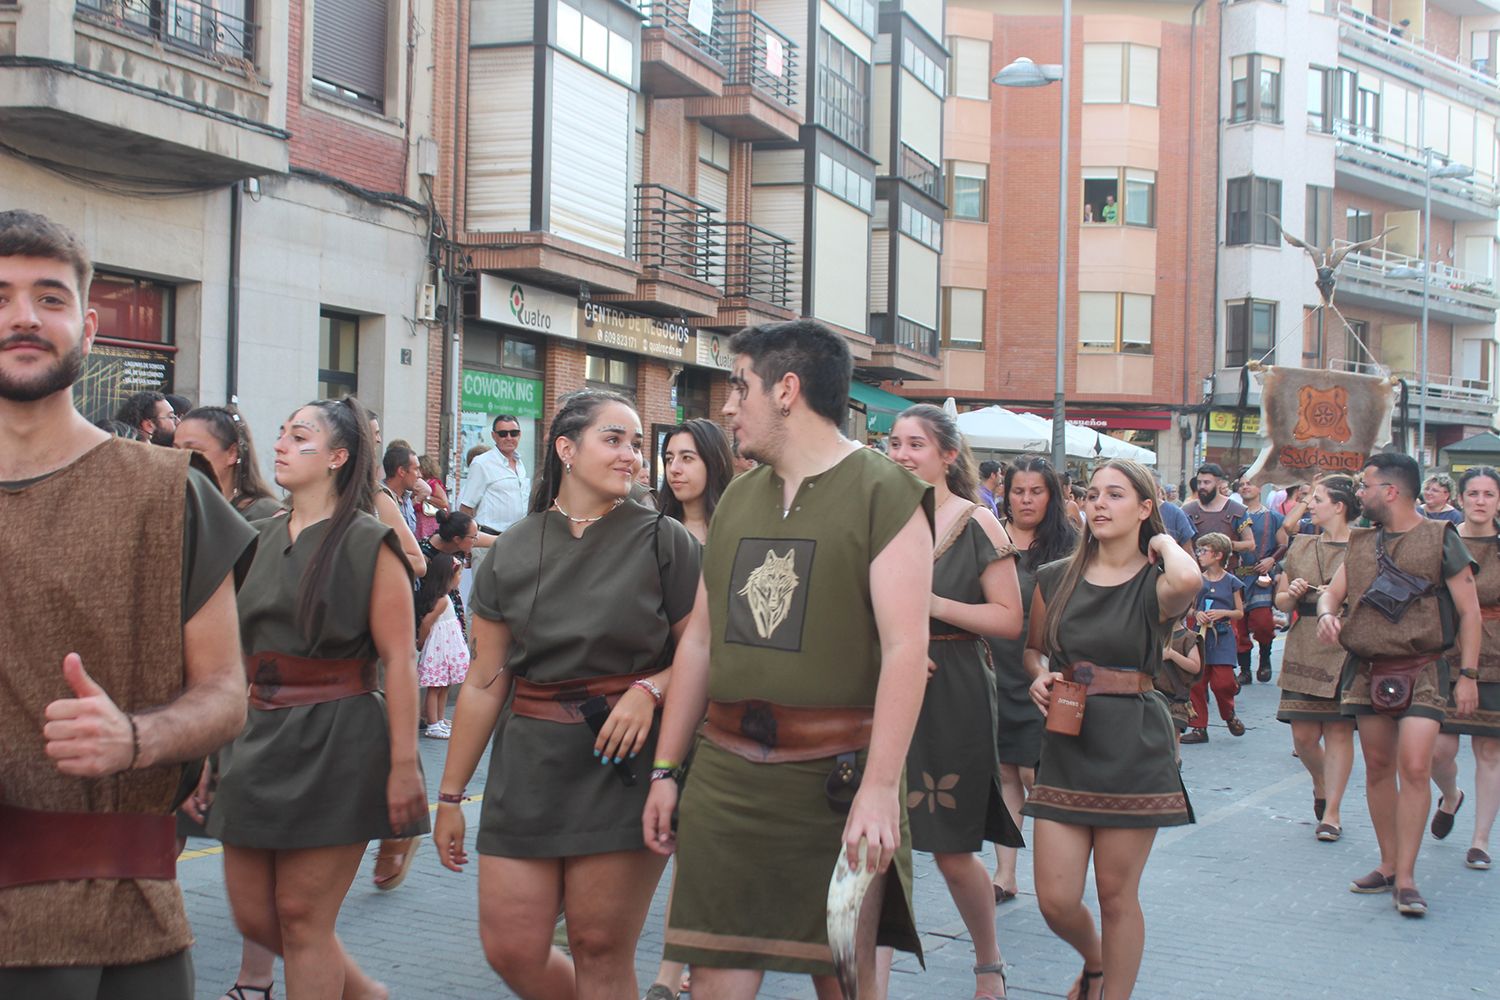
(518, 906)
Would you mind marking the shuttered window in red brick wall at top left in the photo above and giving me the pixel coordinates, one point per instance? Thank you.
(349, 50)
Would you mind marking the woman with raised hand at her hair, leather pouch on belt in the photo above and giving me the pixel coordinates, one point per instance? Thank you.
(1106, 791)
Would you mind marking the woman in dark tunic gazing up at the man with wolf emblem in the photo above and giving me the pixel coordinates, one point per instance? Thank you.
(577, 611)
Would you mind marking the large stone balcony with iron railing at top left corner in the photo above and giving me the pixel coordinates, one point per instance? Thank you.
(166, 92)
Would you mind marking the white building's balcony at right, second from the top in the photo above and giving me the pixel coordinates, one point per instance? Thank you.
(1369, 164)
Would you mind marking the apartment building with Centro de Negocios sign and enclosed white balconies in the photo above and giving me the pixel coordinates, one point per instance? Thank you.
(631, 185)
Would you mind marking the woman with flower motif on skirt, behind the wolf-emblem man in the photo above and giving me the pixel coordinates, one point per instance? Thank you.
(953, 780)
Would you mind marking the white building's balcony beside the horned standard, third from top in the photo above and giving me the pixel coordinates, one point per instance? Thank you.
(1373, 280)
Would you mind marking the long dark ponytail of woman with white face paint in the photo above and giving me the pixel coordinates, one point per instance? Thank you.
(349, 427)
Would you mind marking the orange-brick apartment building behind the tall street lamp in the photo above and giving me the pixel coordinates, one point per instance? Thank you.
(1142, 205)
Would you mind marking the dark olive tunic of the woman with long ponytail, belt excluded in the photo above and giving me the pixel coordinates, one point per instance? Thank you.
(311, 776)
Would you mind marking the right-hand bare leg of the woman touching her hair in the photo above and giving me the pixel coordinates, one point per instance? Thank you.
(1120, 857)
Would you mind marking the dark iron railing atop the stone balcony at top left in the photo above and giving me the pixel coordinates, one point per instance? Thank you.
(218, 29)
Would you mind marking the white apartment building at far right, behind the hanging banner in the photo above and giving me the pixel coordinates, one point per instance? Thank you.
(1337, 121)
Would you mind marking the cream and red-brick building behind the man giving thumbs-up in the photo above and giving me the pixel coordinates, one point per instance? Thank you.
(245, 175)
